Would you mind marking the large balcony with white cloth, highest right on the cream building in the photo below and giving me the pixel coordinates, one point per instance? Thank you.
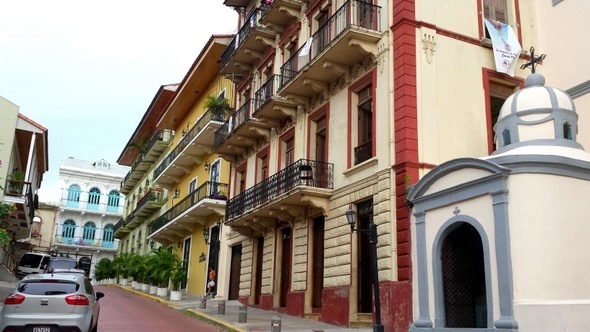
(352, 33)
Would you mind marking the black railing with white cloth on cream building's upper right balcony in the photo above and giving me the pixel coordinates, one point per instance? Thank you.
(351, 13)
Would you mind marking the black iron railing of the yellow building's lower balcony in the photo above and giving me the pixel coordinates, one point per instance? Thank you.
(212, 190)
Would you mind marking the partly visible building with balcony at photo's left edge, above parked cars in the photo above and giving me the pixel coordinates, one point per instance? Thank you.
(23, 161)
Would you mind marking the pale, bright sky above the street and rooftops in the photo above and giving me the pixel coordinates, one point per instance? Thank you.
(87, 71)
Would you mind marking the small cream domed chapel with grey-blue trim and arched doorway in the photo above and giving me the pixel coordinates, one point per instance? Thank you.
(487, 235)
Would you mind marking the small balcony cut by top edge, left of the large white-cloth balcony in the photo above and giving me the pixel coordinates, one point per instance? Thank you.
(278, 14)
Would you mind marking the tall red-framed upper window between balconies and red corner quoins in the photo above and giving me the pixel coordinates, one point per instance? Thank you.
(364, 149)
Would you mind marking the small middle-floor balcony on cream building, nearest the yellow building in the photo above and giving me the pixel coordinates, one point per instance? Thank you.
(240, 132)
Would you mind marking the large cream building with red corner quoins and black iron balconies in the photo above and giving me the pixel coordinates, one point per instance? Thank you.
(342, 105)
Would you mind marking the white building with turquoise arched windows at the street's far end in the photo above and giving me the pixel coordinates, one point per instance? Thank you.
(90, 205)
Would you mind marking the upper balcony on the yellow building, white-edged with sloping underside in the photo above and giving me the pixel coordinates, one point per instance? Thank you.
(189, 151)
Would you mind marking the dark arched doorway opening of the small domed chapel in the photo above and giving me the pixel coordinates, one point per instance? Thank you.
(464, 279)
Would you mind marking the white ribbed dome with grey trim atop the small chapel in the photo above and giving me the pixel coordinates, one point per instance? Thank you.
(536, 115)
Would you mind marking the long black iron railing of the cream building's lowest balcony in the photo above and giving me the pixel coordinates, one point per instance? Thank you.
(303, 172)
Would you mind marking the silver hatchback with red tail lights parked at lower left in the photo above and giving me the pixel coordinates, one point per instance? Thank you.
(52, 302)
